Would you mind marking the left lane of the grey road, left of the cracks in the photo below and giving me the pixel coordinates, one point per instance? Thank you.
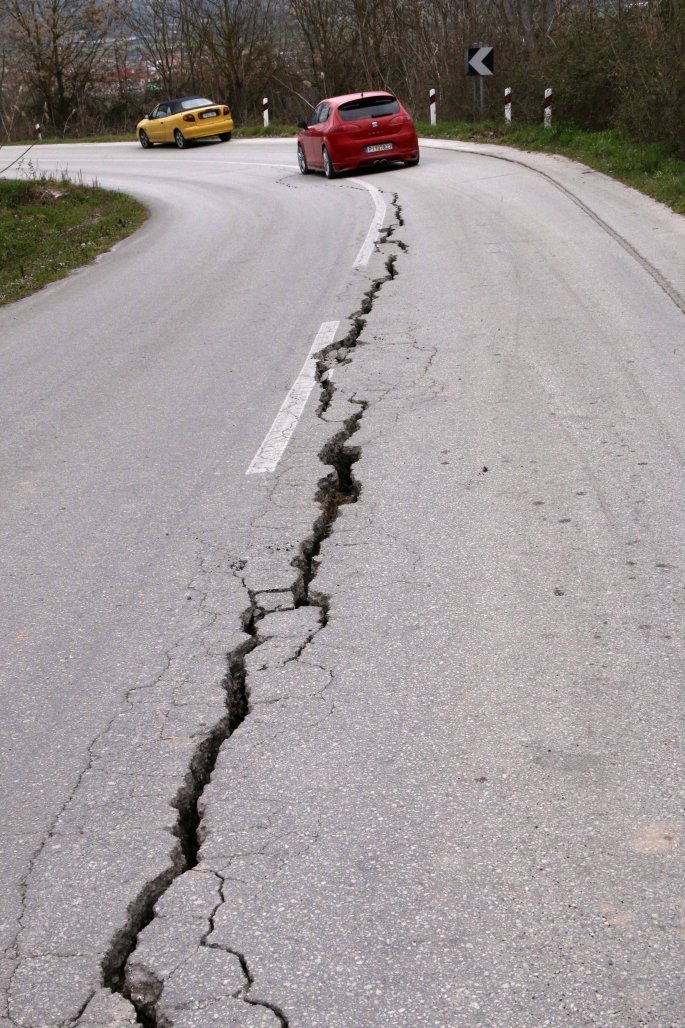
(134, 396)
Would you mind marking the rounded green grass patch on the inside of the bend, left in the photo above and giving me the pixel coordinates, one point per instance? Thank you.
(50, 228)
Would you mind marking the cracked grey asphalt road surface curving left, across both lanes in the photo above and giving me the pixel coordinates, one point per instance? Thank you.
(439, 694)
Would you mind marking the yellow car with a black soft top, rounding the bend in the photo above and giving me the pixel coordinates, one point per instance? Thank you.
(186, 120)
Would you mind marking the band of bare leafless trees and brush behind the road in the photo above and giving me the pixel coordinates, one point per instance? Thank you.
(612, 63)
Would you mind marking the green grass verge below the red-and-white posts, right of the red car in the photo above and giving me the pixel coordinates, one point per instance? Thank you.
(647, 167)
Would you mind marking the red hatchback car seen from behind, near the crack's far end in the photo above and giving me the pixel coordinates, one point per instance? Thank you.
(356, 131)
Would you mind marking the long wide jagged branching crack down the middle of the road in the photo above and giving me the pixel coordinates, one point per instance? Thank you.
(337, 489)
